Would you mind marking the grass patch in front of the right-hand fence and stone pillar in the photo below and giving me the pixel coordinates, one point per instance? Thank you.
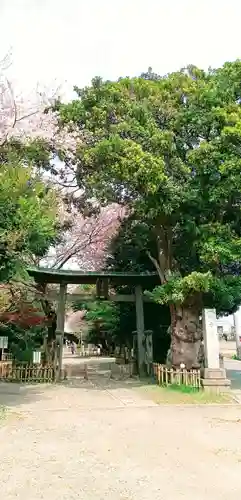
(176, 394)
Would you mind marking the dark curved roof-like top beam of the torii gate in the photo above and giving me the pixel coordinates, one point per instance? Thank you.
(47, 275)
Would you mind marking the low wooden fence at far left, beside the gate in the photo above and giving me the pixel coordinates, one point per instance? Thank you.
(26, 373)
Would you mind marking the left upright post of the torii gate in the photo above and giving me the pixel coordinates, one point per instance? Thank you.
(60, 324)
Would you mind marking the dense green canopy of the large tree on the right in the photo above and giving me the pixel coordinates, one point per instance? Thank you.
(170, 148)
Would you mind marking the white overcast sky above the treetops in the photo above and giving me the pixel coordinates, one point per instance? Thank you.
(68, 42)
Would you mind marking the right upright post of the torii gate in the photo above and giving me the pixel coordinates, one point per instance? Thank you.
(140, 330)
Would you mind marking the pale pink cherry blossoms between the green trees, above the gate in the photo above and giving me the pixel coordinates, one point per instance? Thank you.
(87, 228)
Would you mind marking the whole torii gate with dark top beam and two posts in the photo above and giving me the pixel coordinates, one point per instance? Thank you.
(103, 282)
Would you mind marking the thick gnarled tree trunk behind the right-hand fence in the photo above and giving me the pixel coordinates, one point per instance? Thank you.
(186, 335)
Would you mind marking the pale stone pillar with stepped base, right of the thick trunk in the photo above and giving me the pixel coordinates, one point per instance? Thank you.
(214, 377)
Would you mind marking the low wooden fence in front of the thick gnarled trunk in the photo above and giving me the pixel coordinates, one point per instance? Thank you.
(170, 376)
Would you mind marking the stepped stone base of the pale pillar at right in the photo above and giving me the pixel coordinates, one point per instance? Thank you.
(215, 380)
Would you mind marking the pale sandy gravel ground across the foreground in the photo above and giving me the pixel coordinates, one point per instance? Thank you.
(100, 440)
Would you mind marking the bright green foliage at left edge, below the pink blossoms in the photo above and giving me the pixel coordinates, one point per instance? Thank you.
(27, 218)
